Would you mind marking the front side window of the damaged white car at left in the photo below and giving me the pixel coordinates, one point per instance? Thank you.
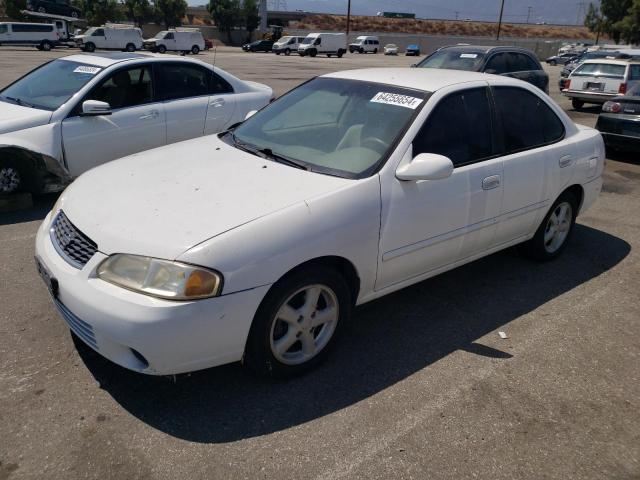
(125, 88)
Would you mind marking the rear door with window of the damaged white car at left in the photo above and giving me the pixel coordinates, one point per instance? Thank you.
(184, 89)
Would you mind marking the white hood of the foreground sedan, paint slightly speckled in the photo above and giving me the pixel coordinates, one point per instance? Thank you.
(165, 201)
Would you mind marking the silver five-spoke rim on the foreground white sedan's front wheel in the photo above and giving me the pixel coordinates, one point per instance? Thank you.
(304, 324)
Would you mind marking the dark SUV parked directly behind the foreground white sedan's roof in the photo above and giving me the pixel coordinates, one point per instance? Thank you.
(507, 61)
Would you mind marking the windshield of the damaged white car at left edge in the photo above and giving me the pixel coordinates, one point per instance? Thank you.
(51, 85)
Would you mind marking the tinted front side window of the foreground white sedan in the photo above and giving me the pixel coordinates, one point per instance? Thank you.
(458, 128)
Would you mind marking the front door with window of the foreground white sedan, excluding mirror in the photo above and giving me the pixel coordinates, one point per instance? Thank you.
(430, 224)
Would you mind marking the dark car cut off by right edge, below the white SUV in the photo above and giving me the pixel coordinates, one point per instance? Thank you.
(619, 121)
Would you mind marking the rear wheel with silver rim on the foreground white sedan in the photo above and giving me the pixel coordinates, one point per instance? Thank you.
(554, 231)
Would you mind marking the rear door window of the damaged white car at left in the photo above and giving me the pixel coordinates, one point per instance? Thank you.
(182, 81)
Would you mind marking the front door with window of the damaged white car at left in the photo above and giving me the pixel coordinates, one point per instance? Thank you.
(137, 121)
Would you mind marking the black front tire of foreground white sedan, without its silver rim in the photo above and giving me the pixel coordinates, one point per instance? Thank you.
(258, 355)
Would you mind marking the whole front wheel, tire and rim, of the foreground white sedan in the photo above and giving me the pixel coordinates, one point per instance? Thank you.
(297, 322)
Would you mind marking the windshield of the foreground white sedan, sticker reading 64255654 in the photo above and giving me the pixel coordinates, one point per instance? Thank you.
(336, 126)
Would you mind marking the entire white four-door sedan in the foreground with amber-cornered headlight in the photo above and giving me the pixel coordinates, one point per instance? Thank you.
(257, 243)
